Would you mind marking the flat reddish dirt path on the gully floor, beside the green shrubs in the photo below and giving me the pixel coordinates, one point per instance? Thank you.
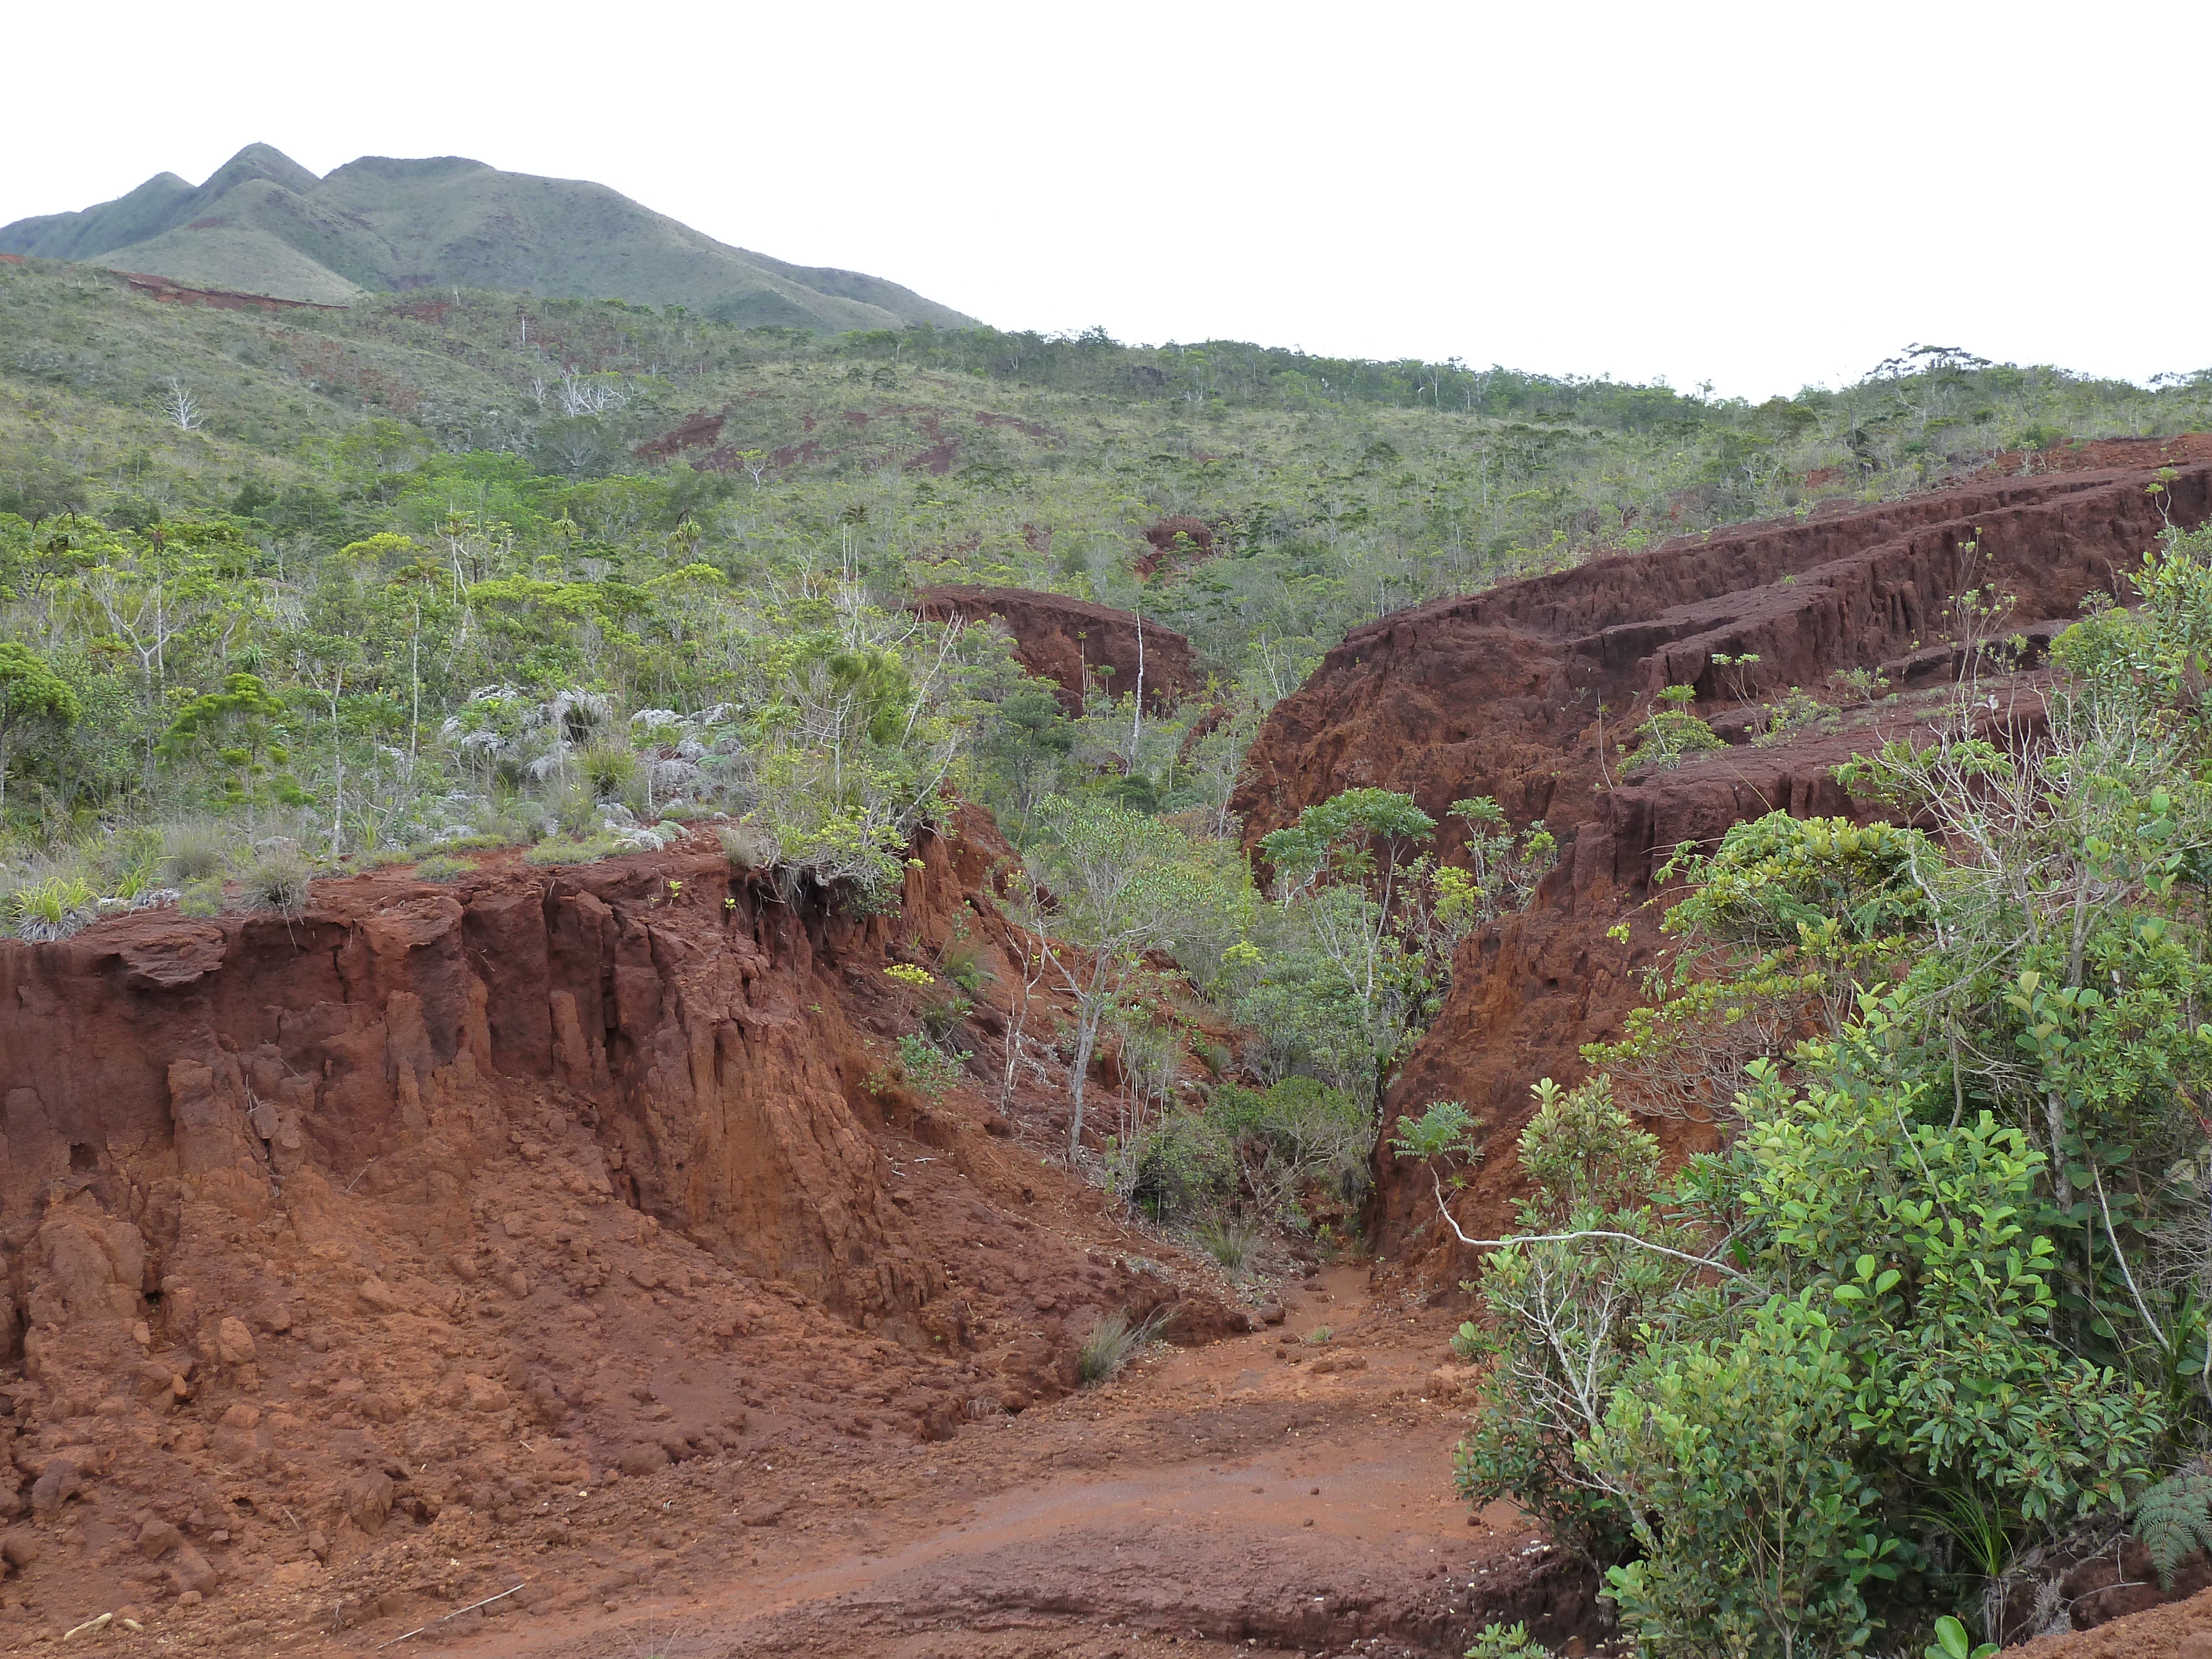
(1260, 1494)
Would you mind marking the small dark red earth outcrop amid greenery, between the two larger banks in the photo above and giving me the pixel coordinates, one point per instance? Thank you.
(1074, 640)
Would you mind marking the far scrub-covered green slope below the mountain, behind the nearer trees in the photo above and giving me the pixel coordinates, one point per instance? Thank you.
(1339, 490)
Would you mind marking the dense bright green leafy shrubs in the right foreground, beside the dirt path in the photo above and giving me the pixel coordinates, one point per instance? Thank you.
(1943, 1295)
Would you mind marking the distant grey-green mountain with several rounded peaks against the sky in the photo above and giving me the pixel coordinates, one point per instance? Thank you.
(262, 225)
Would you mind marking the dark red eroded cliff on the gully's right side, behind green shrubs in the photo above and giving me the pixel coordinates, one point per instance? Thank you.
(1501, 696)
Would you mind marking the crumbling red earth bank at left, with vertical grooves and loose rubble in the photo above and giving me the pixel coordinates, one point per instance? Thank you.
(340, 1249)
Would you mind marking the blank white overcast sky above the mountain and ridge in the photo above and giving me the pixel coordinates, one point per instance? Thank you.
(1757, 196)
